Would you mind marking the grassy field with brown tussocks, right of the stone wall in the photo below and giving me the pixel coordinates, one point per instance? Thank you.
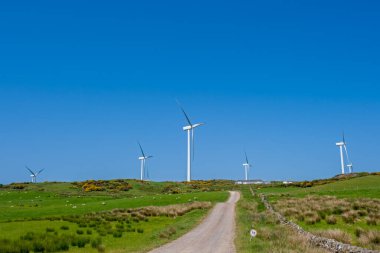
(345, 208)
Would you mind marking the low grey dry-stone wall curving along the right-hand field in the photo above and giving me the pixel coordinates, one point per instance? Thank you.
(326, 243)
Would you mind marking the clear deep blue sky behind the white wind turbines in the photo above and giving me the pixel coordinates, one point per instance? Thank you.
(82, 81)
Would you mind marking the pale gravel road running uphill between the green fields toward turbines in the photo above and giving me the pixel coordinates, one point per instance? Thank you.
(215, 234)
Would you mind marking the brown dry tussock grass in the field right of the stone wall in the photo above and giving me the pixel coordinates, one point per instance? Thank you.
(312, 209)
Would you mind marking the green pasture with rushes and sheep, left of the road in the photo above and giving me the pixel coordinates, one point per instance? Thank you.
(102, 216)
